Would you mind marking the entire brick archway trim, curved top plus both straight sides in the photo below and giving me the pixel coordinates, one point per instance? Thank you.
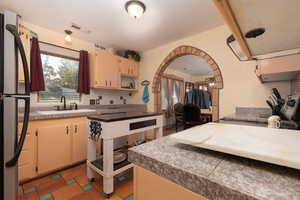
(182, 51)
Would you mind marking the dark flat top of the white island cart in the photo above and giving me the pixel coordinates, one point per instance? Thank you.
(122, 116)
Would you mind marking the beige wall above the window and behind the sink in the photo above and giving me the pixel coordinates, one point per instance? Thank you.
(56, 38)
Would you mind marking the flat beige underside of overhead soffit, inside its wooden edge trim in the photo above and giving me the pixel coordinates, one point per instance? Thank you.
(279, 18)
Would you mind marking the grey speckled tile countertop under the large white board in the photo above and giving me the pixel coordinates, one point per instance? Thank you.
(216, 175)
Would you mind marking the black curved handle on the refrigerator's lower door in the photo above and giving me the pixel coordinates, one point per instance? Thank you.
(12, 162)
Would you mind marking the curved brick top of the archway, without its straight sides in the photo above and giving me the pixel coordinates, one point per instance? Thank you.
(182, 51)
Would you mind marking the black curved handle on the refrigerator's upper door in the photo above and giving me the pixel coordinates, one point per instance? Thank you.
(13, 30)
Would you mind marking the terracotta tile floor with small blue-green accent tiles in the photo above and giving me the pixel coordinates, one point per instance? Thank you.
(72, 184)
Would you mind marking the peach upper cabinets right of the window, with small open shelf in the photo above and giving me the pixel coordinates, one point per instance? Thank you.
(107, 70)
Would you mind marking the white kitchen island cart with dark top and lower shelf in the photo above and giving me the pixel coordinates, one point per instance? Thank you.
(109, 127)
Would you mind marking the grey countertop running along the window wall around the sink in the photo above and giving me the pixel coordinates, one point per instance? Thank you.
(99, 109)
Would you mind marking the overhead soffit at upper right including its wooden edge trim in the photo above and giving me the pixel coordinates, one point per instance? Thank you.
(262, 29)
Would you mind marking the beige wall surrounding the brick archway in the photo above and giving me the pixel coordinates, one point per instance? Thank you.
(241, 86)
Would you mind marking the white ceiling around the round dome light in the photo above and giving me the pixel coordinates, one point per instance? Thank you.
(163, 22)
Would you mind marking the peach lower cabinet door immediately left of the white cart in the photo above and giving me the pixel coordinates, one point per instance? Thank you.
(79, 141)
